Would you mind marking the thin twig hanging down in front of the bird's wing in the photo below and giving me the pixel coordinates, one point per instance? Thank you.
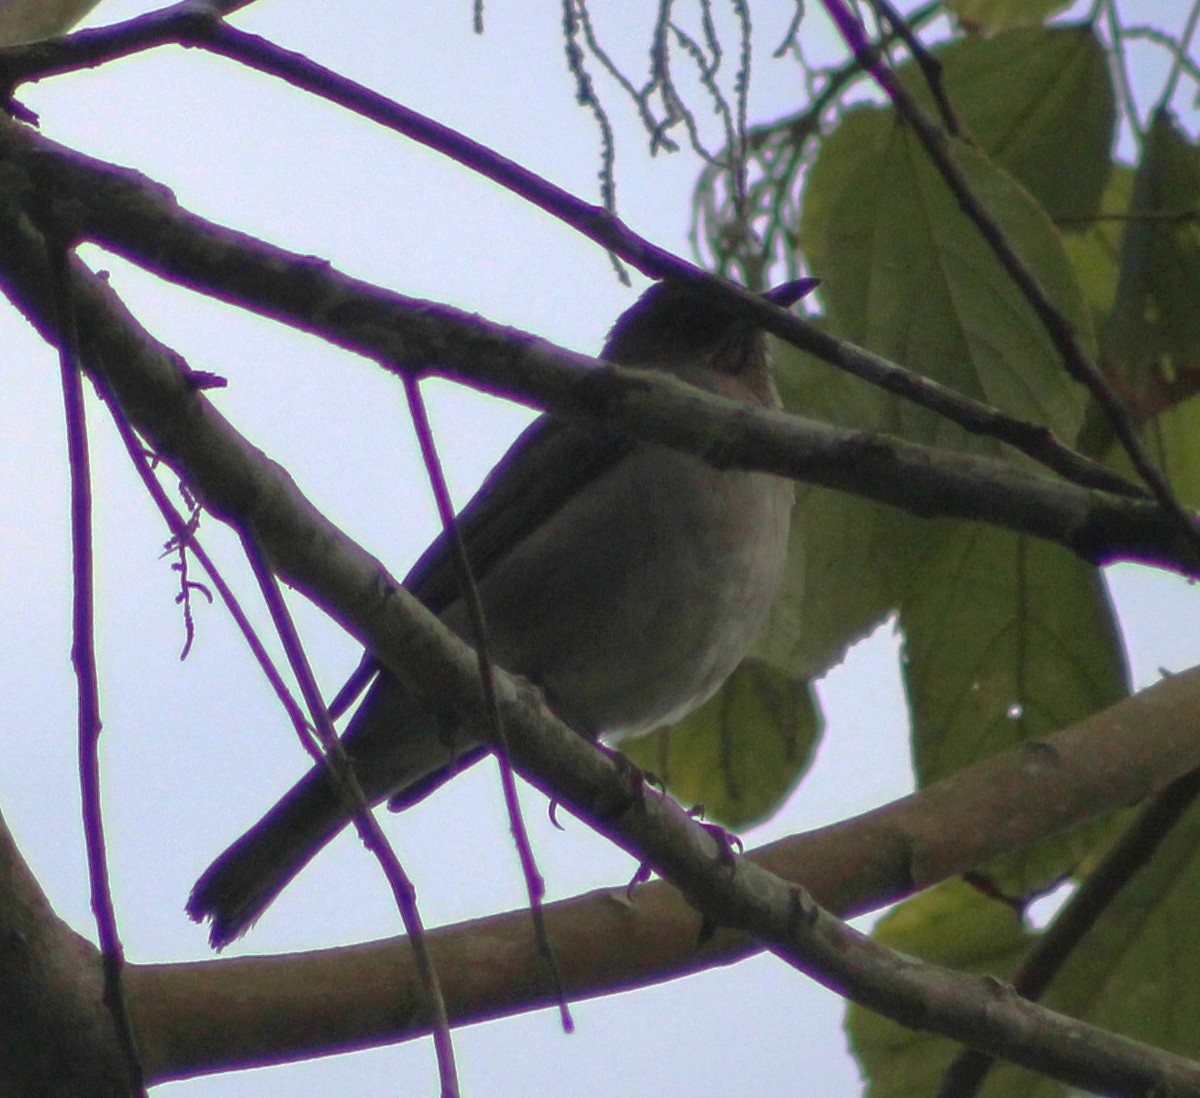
(536, 887)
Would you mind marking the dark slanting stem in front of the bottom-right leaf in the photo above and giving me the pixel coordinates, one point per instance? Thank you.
(1132, 851)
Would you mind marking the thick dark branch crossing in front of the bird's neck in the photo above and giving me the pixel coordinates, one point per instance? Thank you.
(109, 205)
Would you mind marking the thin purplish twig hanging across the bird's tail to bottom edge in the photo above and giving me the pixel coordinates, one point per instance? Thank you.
(341, 772)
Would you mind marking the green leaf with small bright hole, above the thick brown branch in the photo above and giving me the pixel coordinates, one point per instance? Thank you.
(1007, 639)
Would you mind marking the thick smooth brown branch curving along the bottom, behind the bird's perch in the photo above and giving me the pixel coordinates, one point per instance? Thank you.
(215, 1016)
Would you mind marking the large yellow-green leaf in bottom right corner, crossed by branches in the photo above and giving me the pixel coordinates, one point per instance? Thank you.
(1137, 973)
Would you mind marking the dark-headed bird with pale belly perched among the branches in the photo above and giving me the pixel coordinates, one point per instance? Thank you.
(623, 578)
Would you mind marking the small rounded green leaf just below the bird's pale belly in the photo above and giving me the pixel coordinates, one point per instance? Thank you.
(741, 753)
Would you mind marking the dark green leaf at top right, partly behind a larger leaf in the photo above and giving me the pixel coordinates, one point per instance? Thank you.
(1040, 103)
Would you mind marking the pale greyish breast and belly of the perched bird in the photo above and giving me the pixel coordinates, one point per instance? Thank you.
(639, 598)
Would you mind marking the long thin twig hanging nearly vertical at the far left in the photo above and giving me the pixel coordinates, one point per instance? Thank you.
(83, 658)
